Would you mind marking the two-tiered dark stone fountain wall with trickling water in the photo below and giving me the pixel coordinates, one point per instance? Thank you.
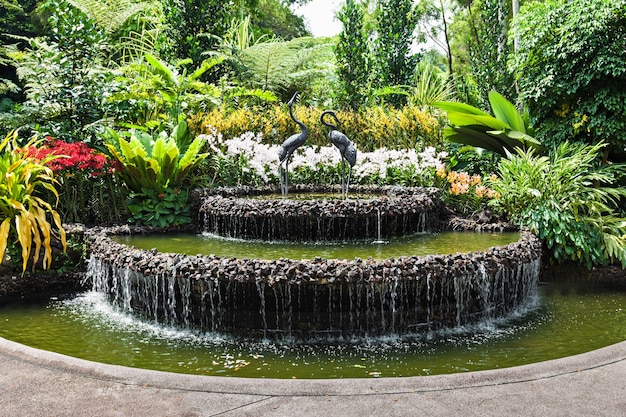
(309, 298)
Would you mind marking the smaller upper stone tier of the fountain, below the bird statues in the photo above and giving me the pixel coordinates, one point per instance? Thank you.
(368, 213)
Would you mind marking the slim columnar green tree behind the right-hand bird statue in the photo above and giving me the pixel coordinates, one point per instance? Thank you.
(352, 53)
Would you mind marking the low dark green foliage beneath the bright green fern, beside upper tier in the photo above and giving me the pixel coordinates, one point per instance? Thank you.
(168, 208)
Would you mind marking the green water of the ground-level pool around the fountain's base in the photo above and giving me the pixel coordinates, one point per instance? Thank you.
(565, 319)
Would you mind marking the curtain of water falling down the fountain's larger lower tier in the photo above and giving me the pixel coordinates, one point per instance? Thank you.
(391, 297)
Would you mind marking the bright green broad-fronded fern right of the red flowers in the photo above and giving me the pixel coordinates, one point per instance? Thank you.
(156, 162)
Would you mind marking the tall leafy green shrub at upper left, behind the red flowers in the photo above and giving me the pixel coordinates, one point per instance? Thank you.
(63, 77)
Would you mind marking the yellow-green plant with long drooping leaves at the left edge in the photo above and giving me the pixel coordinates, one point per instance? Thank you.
(25, 215)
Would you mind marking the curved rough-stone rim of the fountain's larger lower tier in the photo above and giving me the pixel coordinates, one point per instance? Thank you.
(151, 262)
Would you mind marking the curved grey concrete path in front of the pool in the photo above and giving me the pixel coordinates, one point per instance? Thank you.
(39, 383)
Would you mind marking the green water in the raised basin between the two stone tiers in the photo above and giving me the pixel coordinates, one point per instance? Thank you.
(414, 245)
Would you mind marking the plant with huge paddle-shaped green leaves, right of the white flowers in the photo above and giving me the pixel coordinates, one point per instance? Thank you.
(501, 134)
